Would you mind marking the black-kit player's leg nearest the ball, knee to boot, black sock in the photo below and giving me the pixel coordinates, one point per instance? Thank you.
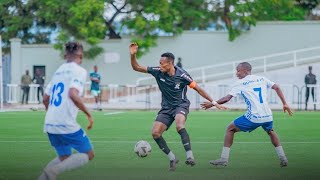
(157, 130)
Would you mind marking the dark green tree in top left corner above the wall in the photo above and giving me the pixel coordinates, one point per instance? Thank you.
(18, 19)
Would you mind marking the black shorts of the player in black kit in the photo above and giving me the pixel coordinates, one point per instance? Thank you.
(167, 115)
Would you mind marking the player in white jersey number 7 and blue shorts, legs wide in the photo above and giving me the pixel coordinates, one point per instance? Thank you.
(254, 91)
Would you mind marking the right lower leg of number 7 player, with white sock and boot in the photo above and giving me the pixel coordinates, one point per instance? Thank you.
(276, 142)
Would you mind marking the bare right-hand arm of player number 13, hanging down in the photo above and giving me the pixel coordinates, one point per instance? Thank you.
(73, 94)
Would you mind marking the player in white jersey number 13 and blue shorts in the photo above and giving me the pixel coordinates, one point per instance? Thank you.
(62, 101)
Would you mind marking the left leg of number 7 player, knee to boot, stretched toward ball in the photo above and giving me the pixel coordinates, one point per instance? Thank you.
(228, 141)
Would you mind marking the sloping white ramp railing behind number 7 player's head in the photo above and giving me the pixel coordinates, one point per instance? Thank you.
(259, 64)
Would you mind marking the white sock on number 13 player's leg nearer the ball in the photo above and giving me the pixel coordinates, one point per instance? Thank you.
(72, 162)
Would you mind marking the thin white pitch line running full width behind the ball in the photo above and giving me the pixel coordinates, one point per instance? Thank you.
(171, 142)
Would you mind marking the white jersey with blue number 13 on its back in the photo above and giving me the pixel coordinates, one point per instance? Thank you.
(62, 112)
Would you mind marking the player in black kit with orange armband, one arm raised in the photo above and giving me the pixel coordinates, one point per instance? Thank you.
(172, 82)
